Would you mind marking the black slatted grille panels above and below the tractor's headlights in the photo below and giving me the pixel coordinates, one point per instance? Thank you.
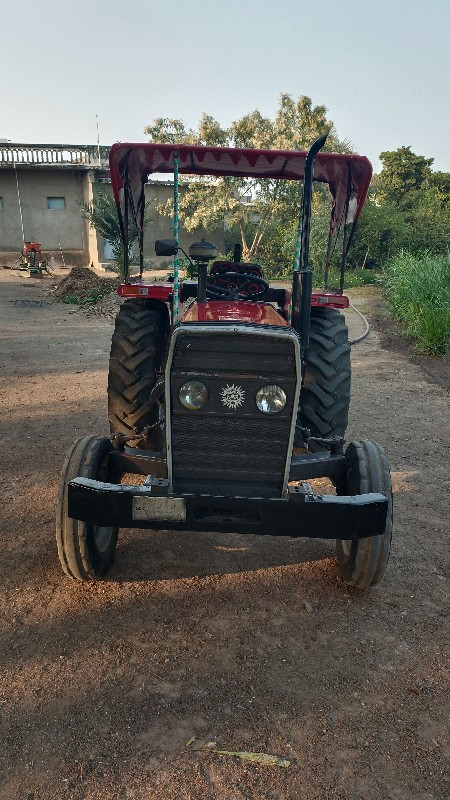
(221, 452)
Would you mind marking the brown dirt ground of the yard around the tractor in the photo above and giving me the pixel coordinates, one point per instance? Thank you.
(250, 643)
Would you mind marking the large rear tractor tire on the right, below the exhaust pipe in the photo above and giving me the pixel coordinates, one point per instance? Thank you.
(325, 394)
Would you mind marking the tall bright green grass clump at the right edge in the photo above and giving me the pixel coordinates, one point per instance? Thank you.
(418, 293)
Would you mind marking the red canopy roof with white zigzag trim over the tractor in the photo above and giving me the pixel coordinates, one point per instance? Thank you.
(347, 175)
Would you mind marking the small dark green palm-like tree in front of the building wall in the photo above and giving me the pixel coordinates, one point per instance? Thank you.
(102, 216)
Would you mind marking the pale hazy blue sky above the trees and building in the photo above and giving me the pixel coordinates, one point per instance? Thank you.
(381, 67)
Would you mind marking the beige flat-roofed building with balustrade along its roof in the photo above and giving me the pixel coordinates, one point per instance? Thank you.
(42, 189)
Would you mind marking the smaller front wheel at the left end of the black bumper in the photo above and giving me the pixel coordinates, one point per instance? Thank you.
(86, 551)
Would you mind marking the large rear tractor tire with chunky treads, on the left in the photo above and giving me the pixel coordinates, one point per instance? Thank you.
(137, 351)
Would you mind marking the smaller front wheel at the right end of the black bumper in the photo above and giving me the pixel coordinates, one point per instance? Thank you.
(362, 562)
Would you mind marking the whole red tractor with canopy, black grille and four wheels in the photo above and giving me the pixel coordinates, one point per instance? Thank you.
(227, 395)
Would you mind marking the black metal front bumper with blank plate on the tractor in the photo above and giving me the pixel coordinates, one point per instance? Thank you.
(301, 514)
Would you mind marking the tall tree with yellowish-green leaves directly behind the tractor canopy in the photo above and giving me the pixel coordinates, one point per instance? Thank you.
(253, 210)
